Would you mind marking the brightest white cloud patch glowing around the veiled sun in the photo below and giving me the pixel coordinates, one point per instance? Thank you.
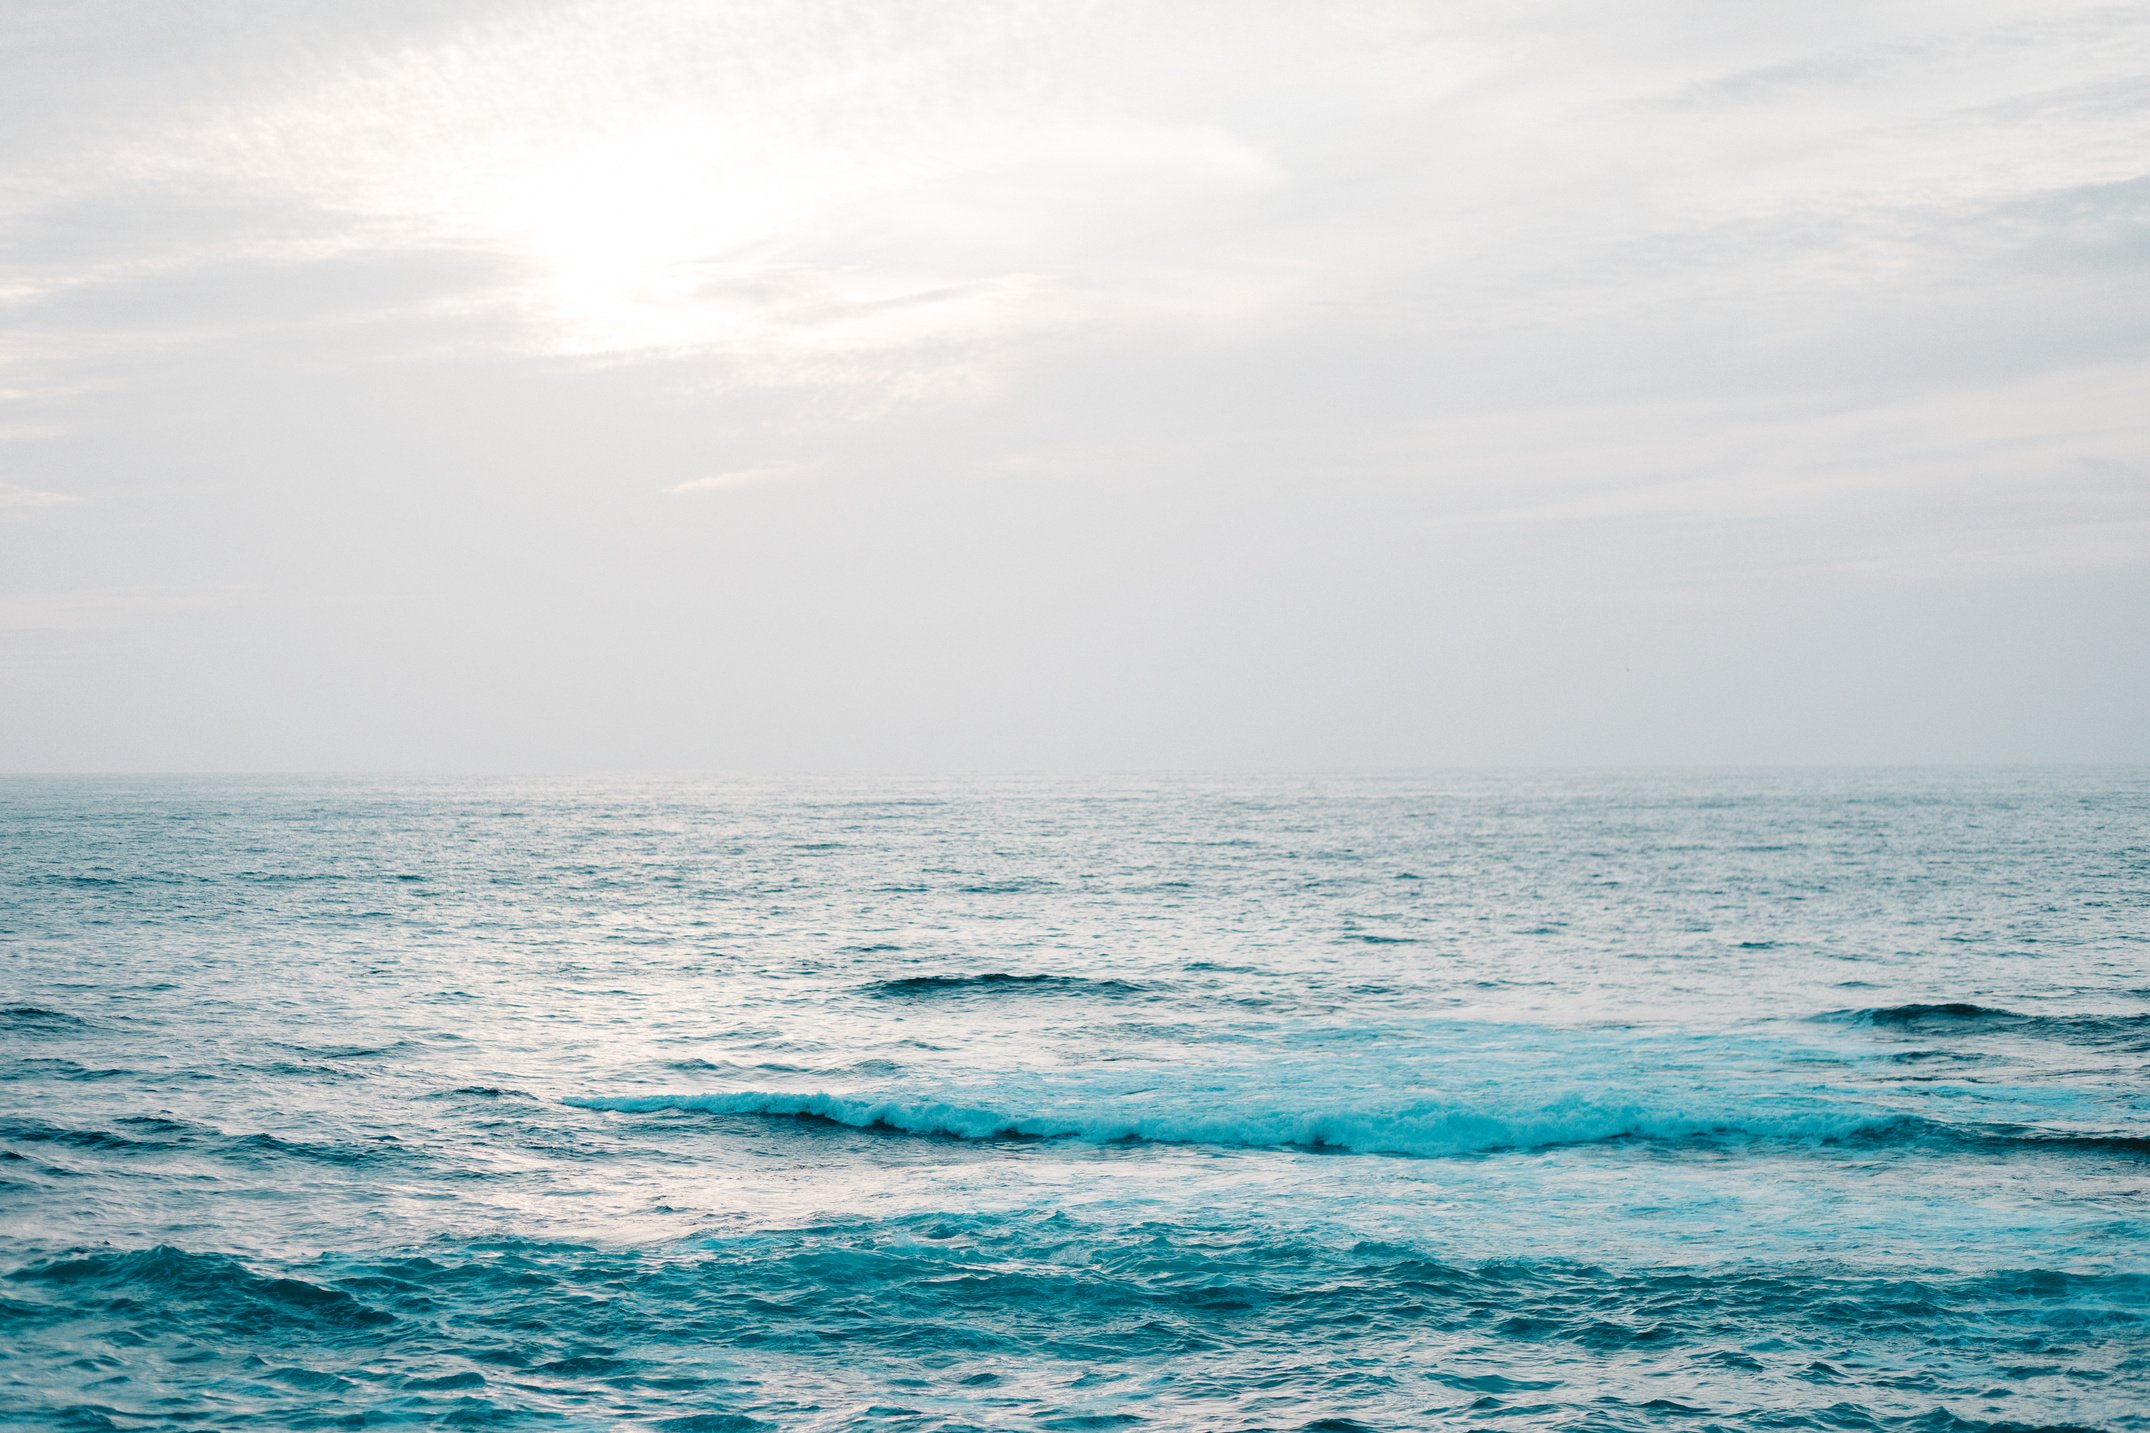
(805, 199)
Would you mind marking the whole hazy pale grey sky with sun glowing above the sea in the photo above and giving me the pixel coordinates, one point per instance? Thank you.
(814, 386)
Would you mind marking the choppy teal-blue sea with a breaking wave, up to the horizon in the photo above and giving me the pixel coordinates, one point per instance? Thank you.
(1605, 1103)
